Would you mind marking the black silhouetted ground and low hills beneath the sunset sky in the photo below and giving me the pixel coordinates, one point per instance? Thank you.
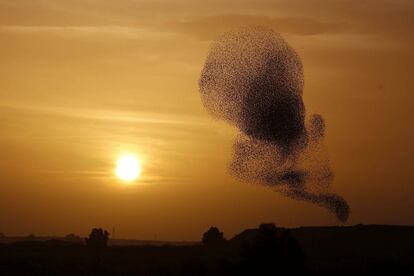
(266, 250)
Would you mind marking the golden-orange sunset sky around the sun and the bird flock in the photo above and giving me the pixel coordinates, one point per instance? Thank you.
(85, 81)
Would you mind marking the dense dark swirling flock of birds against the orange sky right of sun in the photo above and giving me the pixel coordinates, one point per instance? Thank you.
(253, 80)
